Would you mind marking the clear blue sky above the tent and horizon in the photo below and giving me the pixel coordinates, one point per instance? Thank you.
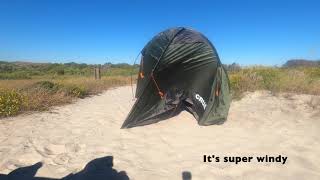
(247, 32)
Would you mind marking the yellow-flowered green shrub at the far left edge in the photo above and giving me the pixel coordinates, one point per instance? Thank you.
(10, 102)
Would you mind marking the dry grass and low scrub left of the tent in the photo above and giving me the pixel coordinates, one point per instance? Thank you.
(41, 93)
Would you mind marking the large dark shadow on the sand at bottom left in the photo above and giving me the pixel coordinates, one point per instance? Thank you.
(100, 169)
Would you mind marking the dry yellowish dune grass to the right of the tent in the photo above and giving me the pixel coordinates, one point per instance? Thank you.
(300, 80)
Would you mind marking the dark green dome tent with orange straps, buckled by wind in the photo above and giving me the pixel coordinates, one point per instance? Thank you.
(180, 70)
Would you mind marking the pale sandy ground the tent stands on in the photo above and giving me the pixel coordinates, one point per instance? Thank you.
(68, 137)
